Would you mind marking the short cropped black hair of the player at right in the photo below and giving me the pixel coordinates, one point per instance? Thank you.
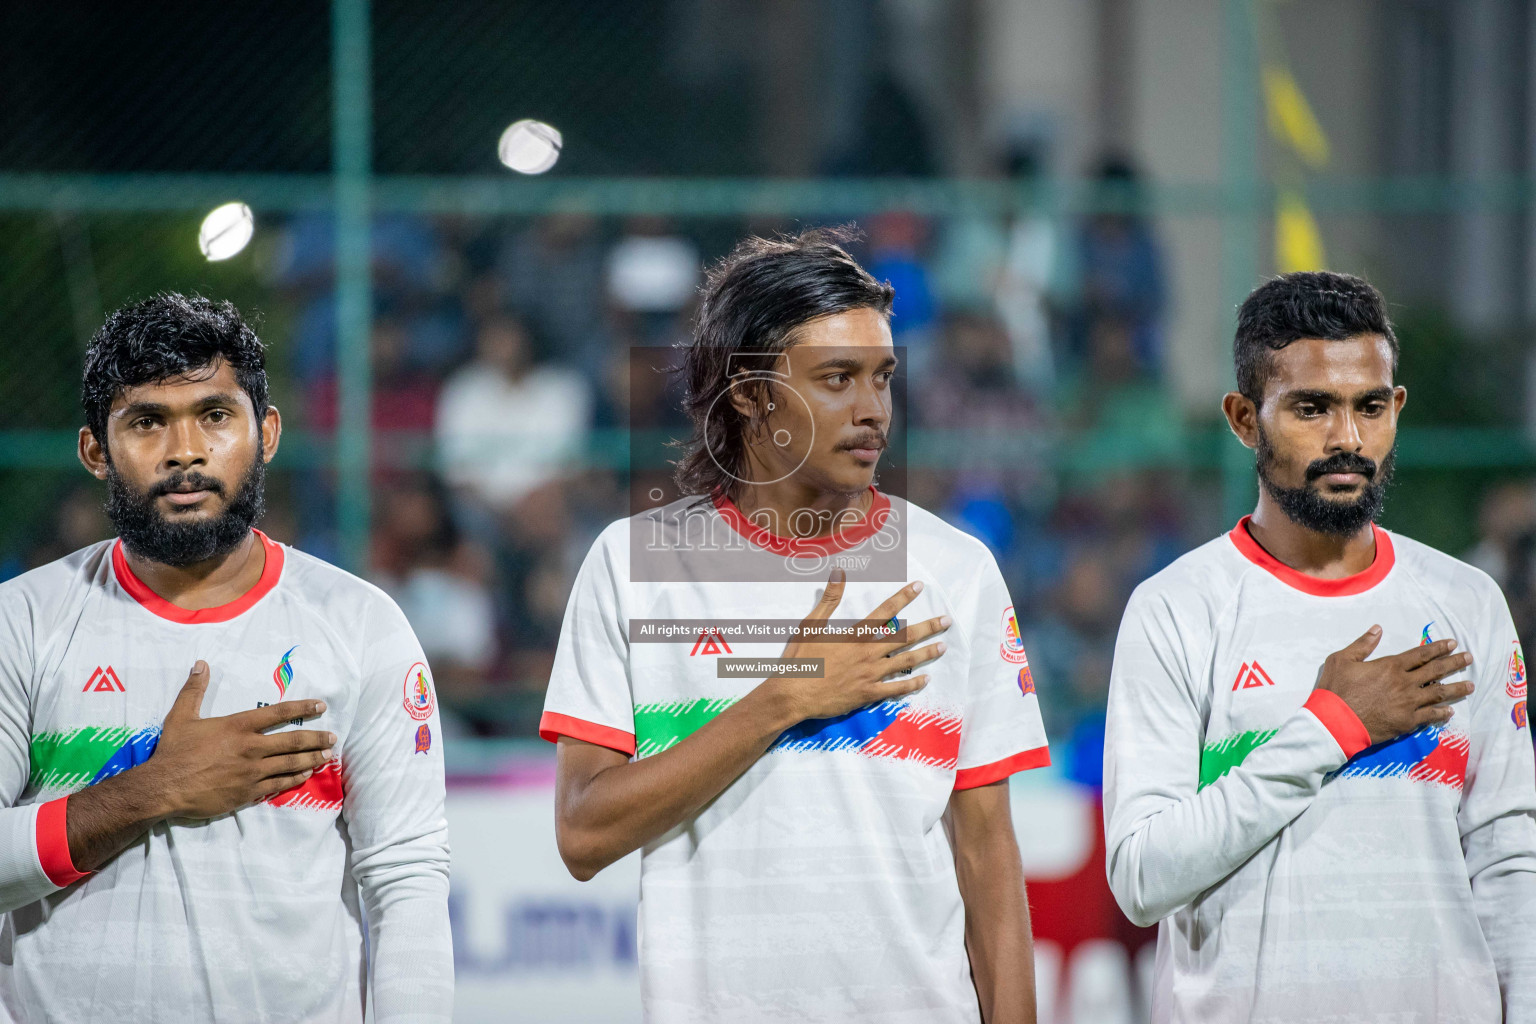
(1306, 305)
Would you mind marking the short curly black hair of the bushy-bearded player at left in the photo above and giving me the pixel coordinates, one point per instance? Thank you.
(170, 337)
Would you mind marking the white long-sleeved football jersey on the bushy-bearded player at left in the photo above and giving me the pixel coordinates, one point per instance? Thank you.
(254, 916)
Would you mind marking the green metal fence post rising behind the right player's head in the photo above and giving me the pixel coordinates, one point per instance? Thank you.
(1240, 121)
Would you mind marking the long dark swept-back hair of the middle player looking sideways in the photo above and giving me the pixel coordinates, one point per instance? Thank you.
(753, 303)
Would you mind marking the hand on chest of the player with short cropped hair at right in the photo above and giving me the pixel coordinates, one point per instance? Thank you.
(1397, 695)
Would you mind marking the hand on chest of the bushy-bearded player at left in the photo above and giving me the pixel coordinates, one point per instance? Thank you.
(211, 767)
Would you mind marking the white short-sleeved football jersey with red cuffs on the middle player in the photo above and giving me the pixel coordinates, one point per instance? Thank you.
(819, 887)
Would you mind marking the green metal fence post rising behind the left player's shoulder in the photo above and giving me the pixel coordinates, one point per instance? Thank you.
(353, 117)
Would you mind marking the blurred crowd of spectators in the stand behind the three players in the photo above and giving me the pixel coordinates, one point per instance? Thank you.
(506, 395)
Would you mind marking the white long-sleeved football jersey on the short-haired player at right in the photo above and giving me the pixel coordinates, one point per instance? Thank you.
(1300, 873)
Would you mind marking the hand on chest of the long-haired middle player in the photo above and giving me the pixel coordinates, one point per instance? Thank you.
(859, 672)
